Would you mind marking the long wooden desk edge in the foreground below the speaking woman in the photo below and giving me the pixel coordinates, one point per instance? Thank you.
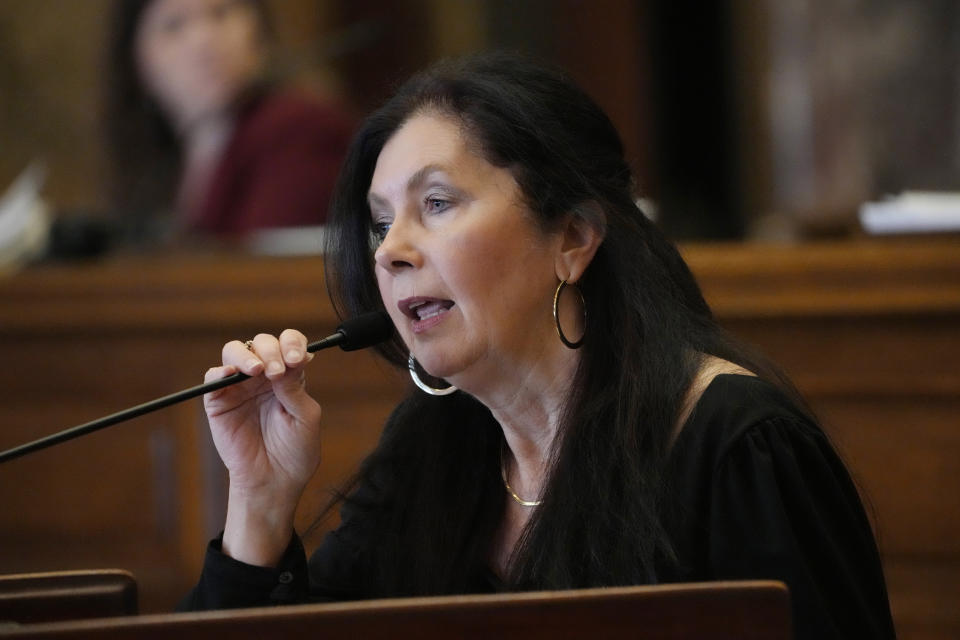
(755, 610)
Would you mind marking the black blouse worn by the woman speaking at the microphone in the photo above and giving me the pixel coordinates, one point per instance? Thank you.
(759, 493)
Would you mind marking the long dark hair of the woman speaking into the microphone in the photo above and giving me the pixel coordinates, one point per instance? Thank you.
(432, 486)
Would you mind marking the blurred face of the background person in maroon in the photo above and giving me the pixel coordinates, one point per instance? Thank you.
(196, 56)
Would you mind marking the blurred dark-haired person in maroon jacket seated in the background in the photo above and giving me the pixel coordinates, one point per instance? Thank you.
(202, 137)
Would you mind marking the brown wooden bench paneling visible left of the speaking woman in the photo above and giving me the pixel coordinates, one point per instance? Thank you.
(87, 341)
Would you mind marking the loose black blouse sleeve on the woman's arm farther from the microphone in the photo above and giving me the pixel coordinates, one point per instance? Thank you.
(783, 507)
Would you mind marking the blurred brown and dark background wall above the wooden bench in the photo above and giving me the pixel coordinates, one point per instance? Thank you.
(773, 119)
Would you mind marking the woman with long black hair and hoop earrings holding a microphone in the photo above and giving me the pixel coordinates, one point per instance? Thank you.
(579, 420)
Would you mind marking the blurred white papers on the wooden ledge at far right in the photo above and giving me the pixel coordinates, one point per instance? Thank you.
(912, 212)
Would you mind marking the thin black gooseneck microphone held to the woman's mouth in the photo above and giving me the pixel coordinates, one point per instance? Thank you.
(357, 333)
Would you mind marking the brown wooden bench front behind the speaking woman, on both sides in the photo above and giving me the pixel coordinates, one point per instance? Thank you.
(868, 330)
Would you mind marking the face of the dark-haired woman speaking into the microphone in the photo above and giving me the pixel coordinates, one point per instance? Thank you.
(464, 271)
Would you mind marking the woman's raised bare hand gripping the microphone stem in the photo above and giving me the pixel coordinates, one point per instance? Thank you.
(267, 432)
